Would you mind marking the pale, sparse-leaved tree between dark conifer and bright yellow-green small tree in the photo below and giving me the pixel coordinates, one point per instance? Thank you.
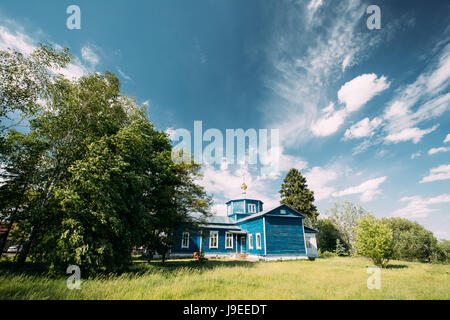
(345, 216)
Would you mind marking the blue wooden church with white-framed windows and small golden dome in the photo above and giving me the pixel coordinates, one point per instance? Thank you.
(249, 231)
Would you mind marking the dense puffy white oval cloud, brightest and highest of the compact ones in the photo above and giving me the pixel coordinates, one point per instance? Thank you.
(357, 92)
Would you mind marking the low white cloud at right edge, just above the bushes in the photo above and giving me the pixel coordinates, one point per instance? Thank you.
(419, 207)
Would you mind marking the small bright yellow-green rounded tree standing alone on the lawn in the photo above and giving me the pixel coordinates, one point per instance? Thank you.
(373, 239)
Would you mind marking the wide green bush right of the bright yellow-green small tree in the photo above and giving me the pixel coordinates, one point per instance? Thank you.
(412, 241)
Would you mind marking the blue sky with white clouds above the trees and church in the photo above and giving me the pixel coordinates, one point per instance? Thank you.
(364, 114)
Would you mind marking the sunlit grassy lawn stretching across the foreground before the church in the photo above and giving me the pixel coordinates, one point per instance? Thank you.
(334, 278)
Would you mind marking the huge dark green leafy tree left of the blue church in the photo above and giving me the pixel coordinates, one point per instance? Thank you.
(98, 178)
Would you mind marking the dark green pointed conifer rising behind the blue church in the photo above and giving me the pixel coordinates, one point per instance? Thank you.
(295, 193)
